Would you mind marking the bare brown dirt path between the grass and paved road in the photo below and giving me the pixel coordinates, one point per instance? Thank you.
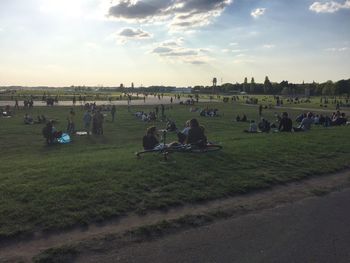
(25, 249)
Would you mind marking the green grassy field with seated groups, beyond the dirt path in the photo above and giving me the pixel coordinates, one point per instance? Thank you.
(97, 178)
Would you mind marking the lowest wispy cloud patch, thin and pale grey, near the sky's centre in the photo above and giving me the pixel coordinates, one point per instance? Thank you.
(175, 51)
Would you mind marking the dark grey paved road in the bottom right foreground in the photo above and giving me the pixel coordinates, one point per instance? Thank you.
(313, 230)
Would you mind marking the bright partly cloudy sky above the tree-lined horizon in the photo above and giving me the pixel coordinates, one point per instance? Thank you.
(172, 42)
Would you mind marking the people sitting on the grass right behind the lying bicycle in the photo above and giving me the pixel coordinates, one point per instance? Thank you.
(193, 134)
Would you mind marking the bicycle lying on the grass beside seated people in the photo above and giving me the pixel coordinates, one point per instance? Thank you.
(165, 149)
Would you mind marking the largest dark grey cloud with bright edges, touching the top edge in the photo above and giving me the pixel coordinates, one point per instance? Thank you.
(180, 14)
